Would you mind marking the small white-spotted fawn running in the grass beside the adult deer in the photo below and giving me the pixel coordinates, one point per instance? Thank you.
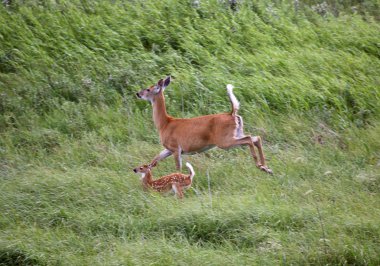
(176, 181)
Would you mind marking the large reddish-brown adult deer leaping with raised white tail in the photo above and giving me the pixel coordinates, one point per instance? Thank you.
(194, 135)
